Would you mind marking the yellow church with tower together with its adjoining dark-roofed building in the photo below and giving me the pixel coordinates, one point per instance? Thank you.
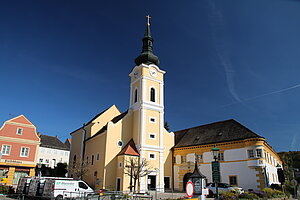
(106, 143)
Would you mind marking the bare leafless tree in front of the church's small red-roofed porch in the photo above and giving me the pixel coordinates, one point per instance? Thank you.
(136, 168)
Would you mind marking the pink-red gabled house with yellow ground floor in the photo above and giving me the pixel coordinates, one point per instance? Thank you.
(19, 146)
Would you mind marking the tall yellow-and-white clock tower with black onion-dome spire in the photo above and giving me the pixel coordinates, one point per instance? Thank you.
(147, 106)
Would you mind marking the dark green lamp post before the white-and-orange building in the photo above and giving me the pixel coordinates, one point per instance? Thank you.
(216, 168)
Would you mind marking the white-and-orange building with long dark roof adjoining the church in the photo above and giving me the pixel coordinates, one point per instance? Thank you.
(246, 159)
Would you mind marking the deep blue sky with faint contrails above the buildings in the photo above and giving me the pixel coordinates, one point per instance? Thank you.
(63, 62)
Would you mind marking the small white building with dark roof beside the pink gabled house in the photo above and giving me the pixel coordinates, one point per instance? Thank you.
(52, 151)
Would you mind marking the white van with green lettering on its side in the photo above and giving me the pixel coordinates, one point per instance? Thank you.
(61, 189)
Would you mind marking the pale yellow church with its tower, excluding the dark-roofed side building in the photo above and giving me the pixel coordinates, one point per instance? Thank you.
(99, 142)
